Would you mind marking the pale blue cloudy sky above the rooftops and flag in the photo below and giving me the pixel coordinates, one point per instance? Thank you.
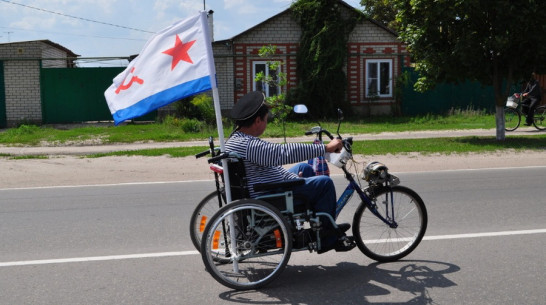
(95, 29)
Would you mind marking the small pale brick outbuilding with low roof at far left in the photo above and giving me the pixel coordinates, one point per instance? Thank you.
(20, 65)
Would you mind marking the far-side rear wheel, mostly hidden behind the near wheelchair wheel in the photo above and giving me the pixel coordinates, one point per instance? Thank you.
(201, 215)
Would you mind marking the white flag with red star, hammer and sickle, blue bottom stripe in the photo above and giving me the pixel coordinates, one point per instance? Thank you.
(175, 63)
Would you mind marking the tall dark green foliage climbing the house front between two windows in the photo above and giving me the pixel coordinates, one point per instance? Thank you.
(322, 54)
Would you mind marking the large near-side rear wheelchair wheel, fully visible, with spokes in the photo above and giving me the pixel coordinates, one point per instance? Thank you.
(253, 238)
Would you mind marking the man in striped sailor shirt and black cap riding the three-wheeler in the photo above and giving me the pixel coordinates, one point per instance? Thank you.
(263, 164)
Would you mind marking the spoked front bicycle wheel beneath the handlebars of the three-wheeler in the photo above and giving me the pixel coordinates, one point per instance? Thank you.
(384, 243)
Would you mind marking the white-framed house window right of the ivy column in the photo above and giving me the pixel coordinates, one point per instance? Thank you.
(379, 78)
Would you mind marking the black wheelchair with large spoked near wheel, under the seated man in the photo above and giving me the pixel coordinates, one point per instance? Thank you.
(248, 242)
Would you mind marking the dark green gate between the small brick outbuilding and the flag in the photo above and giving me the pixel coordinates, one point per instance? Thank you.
(77, 95)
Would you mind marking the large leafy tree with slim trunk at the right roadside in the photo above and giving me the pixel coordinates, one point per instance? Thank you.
(493, 42)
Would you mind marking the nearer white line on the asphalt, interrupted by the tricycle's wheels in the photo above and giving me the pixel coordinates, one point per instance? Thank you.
(185, 253)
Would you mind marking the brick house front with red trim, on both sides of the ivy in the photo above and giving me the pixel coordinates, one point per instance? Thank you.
(375, 59)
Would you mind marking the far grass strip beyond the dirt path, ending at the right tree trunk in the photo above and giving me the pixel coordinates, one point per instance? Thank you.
(165, 132)
